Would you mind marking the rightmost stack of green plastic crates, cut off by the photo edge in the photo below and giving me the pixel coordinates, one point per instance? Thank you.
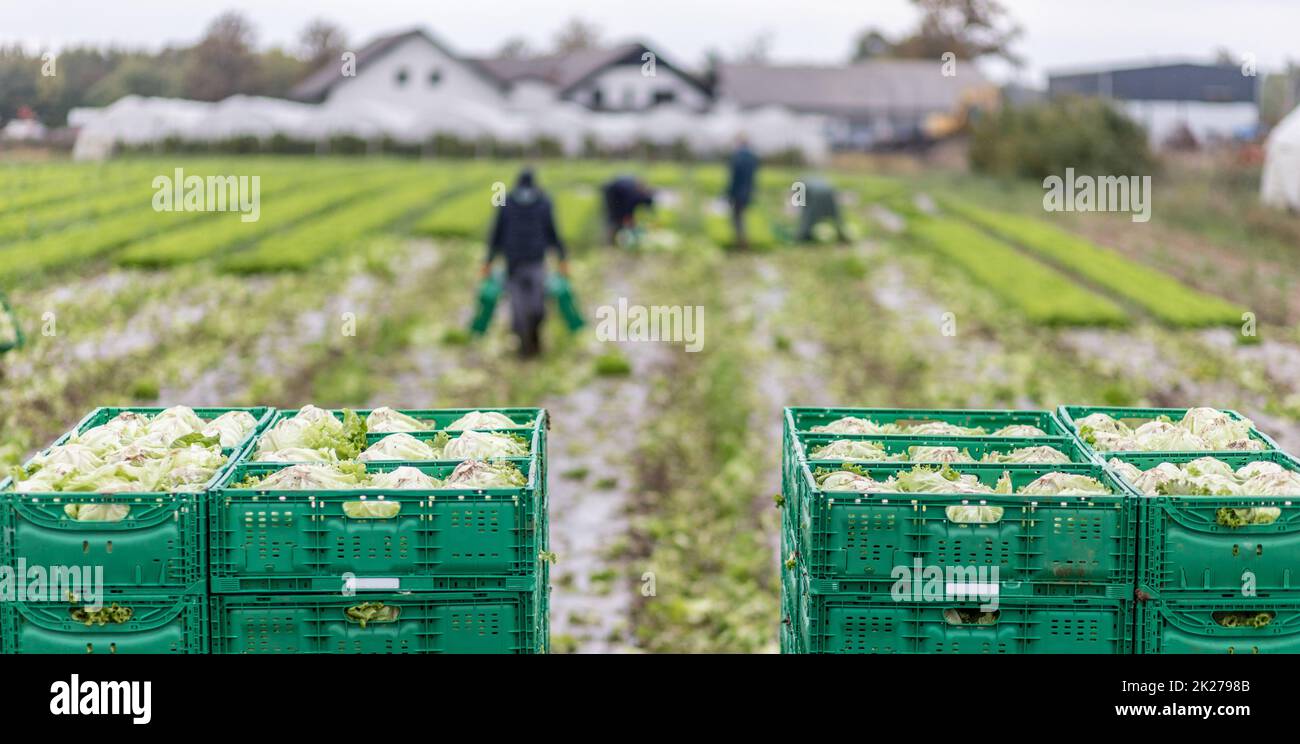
(1190, 566)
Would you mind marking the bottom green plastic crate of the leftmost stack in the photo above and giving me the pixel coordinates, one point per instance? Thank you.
(161, 625)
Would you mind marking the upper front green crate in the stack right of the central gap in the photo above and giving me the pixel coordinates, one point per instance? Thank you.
(1059, 546)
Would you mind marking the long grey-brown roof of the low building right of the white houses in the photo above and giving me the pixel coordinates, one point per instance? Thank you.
(872, 86)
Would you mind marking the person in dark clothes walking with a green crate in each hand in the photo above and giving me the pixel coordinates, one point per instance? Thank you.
(523, 233)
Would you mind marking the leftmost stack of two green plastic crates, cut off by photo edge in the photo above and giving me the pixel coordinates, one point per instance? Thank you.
(154, 563)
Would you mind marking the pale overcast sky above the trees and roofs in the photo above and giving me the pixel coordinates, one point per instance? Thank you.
(1058, 33)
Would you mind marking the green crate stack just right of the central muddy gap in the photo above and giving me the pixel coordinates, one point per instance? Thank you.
(1065, 581)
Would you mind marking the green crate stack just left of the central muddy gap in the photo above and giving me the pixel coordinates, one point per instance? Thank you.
(297, 605)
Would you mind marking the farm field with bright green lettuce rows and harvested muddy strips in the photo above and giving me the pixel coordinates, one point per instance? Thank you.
(356, 286)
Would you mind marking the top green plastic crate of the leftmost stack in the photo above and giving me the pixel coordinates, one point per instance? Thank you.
(159, 550)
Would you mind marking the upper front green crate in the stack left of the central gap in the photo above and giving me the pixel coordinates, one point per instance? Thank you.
(275, 542)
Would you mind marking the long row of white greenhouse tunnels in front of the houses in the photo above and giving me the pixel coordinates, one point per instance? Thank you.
(140, 122)
